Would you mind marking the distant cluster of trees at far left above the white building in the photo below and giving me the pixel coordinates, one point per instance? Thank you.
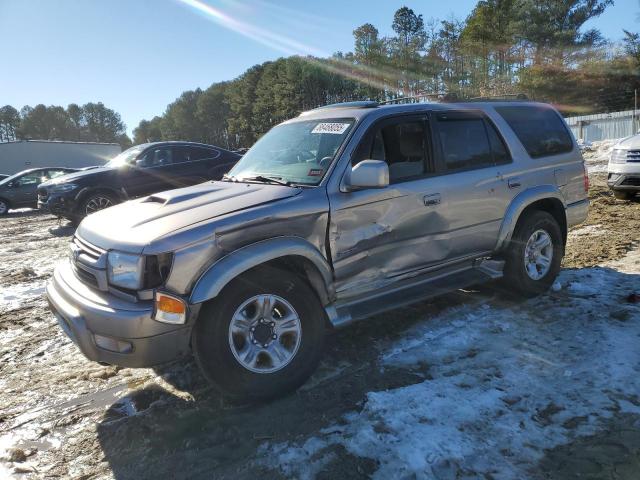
(91, 122)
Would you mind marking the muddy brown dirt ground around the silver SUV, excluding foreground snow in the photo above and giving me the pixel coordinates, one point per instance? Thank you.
(62, 416)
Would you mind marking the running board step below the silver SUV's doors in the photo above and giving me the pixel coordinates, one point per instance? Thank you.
(411, 291)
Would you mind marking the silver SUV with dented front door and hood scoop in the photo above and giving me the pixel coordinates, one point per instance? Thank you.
(339, 214)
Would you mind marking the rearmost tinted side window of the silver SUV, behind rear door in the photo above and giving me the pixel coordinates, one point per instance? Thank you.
(540, 129)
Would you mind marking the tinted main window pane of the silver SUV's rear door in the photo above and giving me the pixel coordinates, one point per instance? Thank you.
(465, 143)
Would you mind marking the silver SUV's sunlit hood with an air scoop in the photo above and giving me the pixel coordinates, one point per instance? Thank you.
(133, 225)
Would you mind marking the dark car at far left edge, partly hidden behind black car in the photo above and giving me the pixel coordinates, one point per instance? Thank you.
(20, 190)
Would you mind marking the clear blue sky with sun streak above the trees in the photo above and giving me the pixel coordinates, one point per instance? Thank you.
(137, 56)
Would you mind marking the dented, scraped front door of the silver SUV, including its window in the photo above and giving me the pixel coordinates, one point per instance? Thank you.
(379, 235)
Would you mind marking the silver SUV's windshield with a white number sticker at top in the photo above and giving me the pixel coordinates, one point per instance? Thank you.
(298, 152)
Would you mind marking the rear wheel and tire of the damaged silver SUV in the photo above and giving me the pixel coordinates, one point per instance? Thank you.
(521, 273)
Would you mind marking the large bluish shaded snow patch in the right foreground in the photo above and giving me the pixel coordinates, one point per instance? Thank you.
(505, 383)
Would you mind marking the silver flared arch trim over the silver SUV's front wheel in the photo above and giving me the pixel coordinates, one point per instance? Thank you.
(218, 275)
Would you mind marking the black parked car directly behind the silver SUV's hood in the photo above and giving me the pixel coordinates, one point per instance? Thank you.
(136, 172)
